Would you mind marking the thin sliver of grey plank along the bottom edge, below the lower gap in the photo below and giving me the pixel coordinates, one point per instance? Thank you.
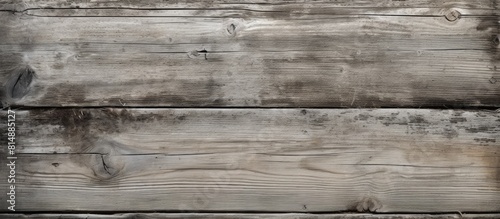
(256, 216)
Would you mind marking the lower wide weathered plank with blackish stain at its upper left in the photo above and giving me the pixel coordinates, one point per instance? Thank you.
(285, 160)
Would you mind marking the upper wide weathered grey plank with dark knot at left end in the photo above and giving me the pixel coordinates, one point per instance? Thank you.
(259, 54)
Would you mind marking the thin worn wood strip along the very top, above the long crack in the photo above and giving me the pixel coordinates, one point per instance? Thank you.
(24, 5)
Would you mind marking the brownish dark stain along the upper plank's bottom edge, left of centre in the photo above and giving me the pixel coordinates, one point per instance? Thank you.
(179, 92)
